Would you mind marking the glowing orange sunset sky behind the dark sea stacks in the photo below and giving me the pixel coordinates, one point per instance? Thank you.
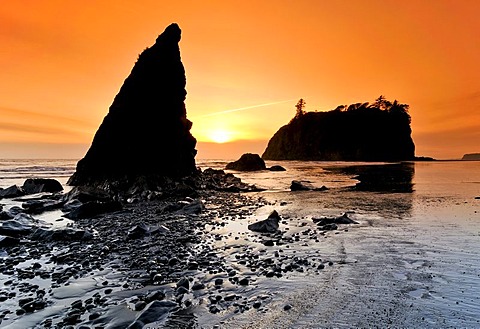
(62, 63)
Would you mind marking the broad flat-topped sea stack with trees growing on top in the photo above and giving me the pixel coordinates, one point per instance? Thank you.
(359, 132)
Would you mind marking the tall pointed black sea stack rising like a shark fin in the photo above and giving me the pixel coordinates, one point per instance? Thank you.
(146, 132)
